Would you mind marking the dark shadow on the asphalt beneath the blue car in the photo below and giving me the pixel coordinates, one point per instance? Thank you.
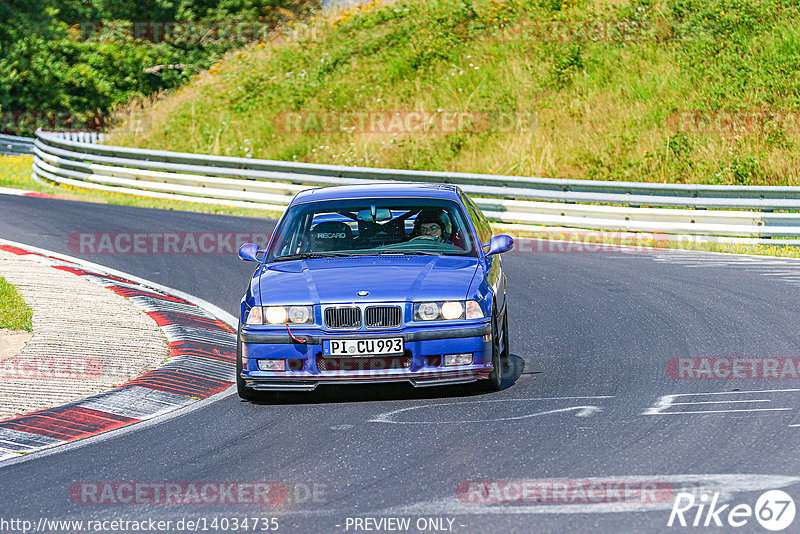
(326, 394)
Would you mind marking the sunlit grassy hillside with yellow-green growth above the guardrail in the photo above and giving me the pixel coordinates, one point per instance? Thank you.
(669, 91)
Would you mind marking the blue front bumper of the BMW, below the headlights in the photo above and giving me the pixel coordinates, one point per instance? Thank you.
(422, 347)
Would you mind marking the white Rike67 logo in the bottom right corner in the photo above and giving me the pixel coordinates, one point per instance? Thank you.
(774, 510)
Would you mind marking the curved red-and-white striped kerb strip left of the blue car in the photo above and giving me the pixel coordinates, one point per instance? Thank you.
(199, 369)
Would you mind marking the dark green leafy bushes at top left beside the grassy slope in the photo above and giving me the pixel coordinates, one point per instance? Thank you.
(67, 64)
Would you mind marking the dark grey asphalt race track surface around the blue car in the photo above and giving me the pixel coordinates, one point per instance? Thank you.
(592, 335)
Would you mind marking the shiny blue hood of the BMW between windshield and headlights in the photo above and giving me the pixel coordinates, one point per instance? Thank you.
(387, 278)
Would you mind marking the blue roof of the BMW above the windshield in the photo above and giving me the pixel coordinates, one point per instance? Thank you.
(379, 189)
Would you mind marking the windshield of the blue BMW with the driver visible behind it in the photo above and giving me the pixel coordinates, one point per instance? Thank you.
(373, 226)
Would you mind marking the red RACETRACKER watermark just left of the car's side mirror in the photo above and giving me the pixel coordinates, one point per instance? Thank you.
(162, 242)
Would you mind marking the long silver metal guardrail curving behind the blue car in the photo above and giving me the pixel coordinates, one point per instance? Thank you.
(713, 210)
